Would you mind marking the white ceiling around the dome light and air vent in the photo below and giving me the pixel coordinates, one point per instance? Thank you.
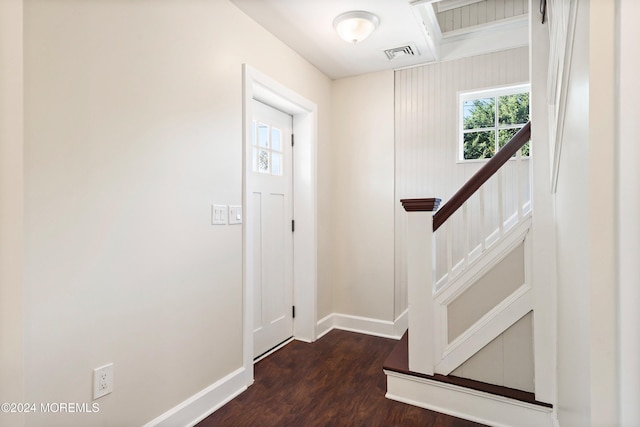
(307, 27)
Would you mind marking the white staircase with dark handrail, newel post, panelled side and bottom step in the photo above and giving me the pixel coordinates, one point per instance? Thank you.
(451, 255)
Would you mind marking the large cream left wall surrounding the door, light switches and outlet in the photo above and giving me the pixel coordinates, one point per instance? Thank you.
(133, 129)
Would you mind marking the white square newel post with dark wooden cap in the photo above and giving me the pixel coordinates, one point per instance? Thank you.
(420, 282)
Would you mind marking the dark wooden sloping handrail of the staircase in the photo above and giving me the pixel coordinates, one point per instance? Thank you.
(482, 176)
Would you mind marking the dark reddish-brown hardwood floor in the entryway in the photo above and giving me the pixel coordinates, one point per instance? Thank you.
(336, 381)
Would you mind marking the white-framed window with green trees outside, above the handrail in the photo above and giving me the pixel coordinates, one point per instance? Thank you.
(490, 118)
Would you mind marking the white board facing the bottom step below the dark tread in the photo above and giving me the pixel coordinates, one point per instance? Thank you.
(466, 403)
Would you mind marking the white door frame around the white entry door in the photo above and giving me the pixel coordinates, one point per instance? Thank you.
(305, 113)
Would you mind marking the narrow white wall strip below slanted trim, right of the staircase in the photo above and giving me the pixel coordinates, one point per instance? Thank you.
(572, 230)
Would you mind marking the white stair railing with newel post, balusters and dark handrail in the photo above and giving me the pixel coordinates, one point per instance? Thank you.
(424, 280)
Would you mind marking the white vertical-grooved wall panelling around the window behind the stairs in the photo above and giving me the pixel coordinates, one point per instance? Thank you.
(427, 142)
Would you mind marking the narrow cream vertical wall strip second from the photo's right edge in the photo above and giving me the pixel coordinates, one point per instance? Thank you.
(602, 211)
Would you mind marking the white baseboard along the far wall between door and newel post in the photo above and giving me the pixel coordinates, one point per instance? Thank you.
(363, 325)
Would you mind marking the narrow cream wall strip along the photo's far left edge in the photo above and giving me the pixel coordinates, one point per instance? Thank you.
(11, 182)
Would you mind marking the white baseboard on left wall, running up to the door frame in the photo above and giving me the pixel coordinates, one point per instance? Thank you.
(204, 403)
